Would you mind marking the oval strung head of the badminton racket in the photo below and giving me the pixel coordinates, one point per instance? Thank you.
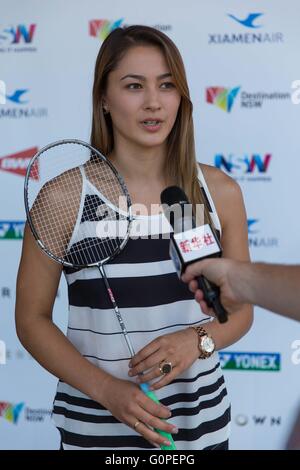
(55, 184)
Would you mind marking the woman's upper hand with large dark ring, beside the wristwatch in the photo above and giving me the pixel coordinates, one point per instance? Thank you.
(180, 349)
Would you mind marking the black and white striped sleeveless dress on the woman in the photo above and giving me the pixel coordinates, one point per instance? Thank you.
(153, 302)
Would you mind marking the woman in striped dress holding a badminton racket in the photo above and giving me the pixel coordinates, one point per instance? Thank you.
(142, 119)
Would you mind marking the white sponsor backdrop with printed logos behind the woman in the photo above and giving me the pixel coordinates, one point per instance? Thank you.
(46, 75)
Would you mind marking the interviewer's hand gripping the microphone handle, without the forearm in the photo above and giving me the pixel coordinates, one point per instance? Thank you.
(220, 272)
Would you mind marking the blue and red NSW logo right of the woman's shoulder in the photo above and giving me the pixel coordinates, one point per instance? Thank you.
(254, 167)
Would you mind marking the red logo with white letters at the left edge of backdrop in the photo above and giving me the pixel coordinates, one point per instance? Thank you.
(18, 162)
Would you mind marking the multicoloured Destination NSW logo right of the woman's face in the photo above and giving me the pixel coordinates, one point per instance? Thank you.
(225, 98)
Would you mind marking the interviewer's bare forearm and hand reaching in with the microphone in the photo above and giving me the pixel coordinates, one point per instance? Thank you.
(273, 287)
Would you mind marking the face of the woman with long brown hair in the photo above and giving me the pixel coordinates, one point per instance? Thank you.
(141, 98)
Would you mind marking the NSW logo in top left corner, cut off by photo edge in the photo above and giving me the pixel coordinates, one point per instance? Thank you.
(17, 38)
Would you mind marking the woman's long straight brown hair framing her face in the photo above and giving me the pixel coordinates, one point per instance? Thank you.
(181, 164)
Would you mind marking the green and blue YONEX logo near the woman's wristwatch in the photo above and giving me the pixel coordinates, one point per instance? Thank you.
(250, 361)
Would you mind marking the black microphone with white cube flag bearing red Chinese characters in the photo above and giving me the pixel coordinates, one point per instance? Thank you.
(190, 243)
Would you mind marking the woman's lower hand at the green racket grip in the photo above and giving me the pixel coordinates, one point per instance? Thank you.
(127, 403)
